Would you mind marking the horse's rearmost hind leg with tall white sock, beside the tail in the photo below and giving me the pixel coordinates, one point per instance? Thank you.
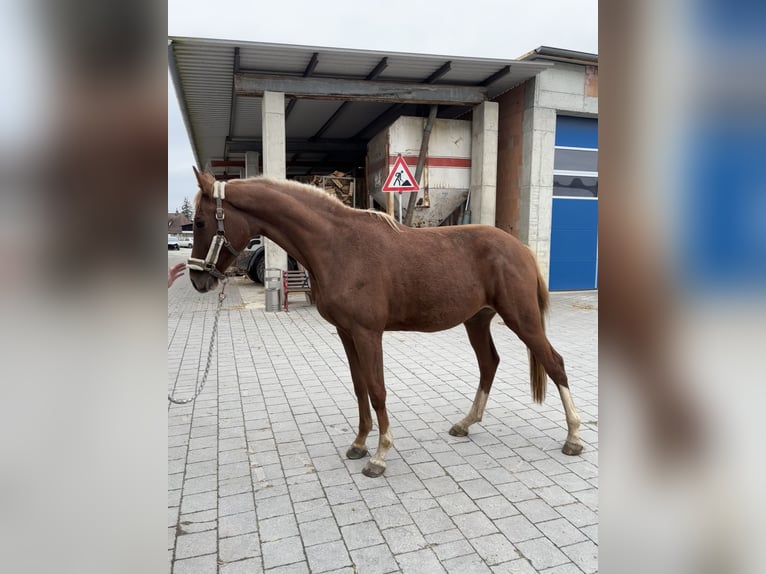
(542, 355)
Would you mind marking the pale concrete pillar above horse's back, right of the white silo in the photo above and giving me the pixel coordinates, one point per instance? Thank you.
(484, 163)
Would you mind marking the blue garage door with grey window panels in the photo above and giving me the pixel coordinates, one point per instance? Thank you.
(574, 224)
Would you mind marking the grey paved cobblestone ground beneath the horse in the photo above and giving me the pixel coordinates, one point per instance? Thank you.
(258, 481)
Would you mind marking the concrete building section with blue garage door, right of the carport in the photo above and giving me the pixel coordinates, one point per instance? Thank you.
(547, 180)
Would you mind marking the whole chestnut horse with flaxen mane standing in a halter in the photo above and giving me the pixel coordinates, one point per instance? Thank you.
(369, 274)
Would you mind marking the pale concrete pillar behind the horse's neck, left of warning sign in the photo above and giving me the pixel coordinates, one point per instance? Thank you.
(273, 114)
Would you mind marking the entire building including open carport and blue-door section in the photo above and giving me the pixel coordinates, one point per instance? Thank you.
(527, 133)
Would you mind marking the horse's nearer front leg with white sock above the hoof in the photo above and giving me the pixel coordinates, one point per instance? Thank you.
(369, 350)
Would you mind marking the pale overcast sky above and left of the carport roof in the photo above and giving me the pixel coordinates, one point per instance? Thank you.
(478, 28)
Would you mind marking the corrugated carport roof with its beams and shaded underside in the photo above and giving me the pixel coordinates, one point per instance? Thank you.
(336, 99)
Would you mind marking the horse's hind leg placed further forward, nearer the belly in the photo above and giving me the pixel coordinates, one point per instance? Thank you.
(480, 337)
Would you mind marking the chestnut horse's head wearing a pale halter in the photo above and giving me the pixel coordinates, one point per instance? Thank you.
(220, 232)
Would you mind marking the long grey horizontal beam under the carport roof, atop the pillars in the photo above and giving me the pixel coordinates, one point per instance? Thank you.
(358, 90)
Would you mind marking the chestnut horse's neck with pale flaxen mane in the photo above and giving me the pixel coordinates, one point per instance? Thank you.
(298, 222)
